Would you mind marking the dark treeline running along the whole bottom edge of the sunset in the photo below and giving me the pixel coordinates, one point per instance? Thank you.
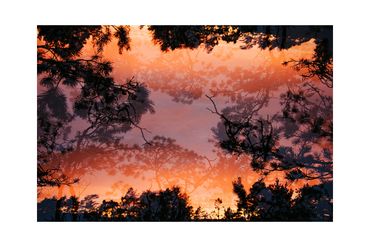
(263, 203)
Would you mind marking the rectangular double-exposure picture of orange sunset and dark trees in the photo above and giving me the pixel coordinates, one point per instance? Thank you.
(185, 123)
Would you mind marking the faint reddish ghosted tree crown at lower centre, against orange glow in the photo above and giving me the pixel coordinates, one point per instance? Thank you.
(169, 163)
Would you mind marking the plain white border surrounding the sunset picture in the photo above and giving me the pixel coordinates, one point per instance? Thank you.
(18, 123)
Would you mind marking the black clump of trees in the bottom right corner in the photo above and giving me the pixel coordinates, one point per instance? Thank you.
(277, 203)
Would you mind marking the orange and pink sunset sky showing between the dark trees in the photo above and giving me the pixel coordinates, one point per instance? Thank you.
(178, 82)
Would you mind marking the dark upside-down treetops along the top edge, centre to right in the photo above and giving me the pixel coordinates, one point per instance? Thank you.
(282, 37)
